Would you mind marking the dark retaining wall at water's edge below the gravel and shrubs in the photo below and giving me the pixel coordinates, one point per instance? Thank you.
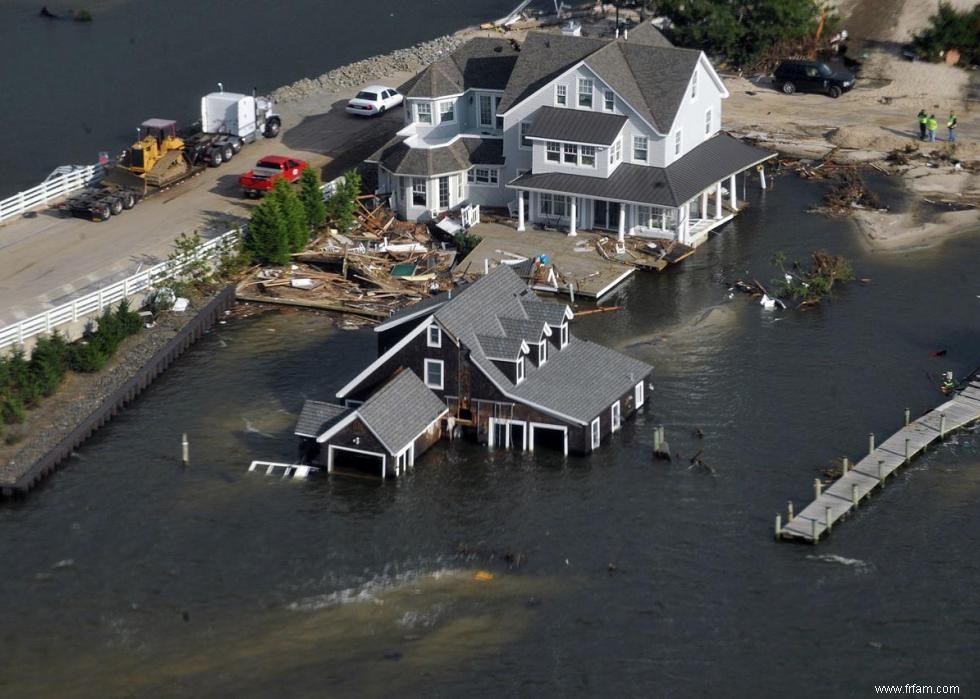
(157, 364)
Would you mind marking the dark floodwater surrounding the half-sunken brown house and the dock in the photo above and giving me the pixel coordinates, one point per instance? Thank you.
(126, 575)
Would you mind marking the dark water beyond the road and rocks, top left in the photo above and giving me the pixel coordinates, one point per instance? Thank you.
(73, 89)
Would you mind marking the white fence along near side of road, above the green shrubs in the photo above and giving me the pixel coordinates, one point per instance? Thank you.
(95, 302)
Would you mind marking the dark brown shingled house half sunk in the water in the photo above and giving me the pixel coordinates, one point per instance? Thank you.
(489, 358)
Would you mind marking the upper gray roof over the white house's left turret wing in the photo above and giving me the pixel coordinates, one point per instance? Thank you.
(482, 62)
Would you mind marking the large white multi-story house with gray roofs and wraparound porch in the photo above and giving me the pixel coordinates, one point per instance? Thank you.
(574, 132)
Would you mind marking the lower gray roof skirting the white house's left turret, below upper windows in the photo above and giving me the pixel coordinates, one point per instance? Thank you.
(397, 157)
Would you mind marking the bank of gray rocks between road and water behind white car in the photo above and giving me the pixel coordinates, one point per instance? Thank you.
(411, 59)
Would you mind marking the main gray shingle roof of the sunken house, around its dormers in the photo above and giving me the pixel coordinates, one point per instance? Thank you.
(578, 382)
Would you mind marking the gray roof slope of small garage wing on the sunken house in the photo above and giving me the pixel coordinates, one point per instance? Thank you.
(400, 410)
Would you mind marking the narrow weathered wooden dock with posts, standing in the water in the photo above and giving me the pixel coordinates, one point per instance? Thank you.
(845, 494)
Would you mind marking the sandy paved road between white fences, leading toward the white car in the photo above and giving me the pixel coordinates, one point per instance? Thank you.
(46, 260)
